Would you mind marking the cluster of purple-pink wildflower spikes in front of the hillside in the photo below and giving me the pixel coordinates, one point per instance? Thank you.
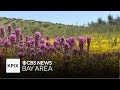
(36, 45)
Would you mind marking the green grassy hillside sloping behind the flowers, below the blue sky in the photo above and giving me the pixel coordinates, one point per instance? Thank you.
(51, 29)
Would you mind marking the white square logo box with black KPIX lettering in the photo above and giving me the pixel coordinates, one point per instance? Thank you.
(12, 65)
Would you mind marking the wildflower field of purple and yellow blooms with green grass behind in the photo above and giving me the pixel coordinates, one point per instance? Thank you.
(78, 52)
